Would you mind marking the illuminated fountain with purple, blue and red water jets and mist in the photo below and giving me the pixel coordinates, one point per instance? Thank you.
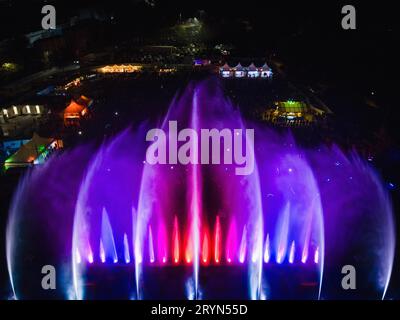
(117, 226)
